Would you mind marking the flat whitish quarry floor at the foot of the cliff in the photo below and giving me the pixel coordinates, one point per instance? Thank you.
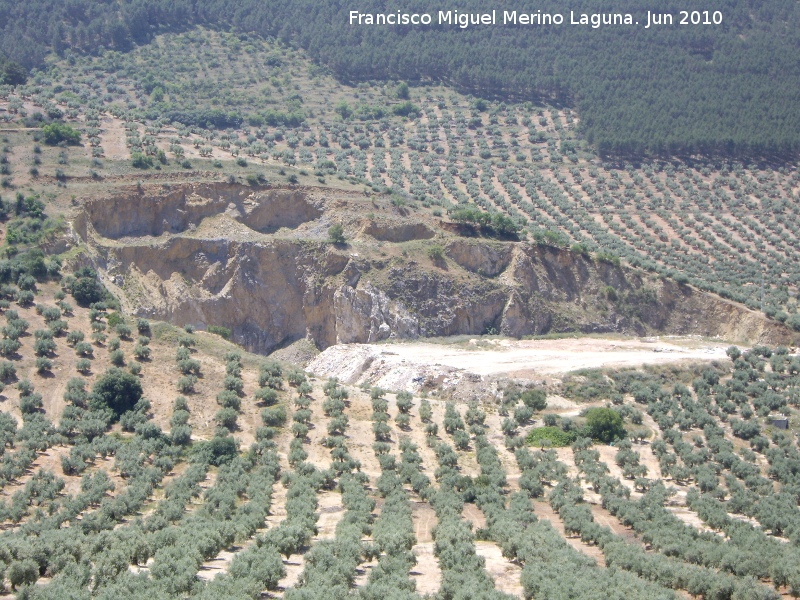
(448, 362)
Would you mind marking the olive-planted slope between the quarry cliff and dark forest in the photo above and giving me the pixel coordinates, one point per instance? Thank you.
(242, 108)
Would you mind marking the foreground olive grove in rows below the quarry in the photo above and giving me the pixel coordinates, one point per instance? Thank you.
(241, 477)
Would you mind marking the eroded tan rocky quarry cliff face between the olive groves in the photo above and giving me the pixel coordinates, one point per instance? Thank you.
(257, 263)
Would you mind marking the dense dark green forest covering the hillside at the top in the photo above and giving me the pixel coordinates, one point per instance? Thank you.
(719, 81)
